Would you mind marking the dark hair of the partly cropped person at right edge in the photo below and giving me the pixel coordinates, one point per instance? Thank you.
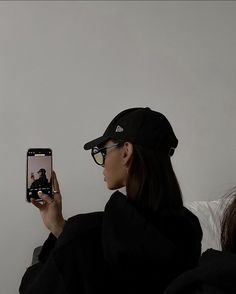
(228, 224)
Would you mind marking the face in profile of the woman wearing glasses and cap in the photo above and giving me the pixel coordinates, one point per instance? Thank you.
(115, 167)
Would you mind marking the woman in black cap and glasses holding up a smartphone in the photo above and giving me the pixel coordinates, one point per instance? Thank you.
(143, 239)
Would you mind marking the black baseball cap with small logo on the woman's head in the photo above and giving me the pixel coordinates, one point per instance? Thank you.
(141, 126)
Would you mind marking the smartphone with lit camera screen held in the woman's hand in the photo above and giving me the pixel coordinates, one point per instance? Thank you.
(38, 172)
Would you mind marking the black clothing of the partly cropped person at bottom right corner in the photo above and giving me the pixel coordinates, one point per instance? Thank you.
(215, 274)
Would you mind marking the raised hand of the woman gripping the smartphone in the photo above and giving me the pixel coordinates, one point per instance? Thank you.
(51, 209)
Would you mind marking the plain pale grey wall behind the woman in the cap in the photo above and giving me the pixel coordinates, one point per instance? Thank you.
(67, 68)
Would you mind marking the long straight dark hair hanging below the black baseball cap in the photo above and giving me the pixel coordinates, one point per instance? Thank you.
(152, 183)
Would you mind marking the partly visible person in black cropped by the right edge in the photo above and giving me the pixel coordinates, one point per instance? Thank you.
(216, 271)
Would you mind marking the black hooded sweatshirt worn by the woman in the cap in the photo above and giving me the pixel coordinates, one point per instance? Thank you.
(119, 250)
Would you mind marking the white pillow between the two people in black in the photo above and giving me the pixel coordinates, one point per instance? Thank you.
(209, 214)
